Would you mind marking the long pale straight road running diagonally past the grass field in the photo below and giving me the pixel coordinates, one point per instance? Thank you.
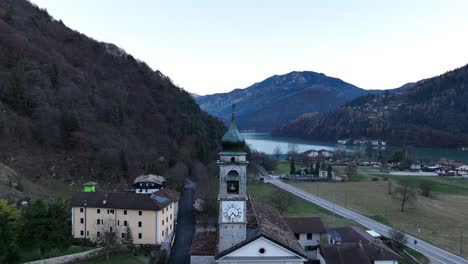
(436, 254)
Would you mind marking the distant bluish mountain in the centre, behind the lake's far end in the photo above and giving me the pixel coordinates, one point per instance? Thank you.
(280, 98)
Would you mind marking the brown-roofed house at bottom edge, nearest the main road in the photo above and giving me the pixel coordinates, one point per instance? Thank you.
(353, 245)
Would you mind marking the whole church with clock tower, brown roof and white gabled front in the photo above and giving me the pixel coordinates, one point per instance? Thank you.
(248, 231)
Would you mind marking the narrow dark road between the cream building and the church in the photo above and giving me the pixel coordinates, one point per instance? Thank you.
(180, 252)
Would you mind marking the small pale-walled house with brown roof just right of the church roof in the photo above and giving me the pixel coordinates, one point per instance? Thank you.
(308, 231)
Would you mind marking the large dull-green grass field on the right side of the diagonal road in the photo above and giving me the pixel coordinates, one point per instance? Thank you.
(437, 218)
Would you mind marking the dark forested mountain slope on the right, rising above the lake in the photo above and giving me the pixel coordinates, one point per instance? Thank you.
(433, 112)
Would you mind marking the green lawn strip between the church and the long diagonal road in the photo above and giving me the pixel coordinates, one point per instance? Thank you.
(298, 207)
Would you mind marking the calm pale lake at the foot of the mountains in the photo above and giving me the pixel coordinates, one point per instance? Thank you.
(264, 142)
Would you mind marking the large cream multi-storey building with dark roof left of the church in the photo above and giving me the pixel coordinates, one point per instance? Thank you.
(151, 217)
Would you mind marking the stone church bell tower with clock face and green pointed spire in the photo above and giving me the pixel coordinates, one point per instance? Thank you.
(232, 189)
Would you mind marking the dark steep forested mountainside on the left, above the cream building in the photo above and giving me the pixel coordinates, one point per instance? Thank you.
(77, 109)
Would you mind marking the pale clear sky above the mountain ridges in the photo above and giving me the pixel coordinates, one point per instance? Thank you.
(215, 46)
